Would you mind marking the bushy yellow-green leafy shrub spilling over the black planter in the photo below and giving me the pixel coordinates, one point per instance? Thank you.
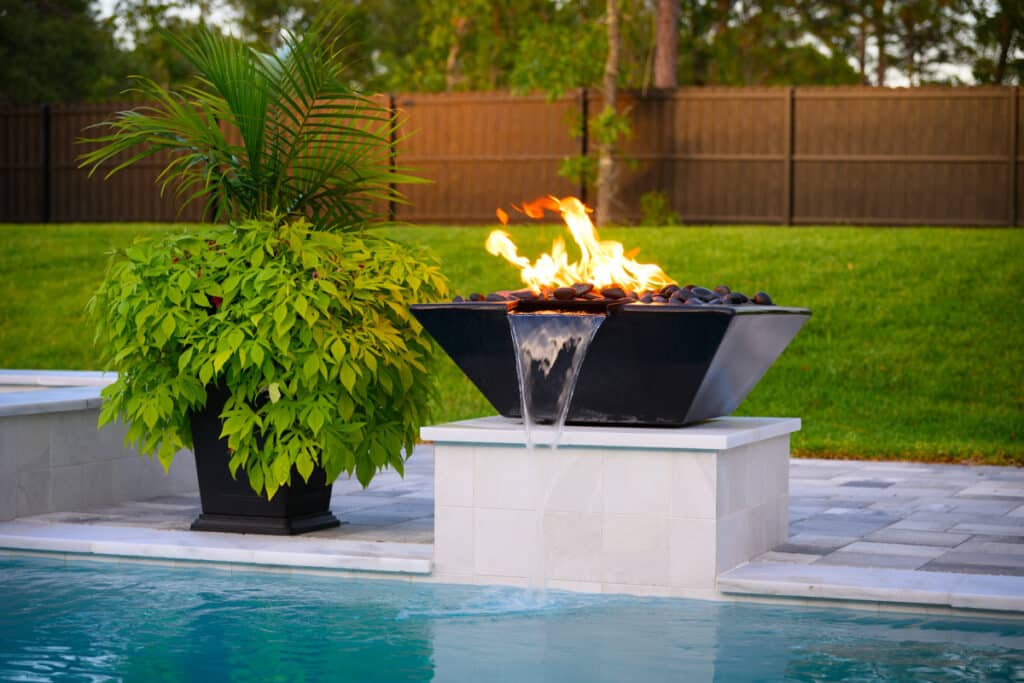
(309, 330)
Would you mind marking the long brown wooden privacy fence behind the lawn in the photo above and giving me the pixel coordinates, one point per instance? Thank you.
(790, 156)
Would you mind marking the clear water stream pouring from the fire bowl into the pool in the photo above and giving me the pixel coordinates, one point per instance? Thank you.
(550, 351)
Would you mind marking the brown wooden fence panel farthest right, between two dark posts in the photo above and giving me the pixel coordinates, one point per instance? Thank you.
(925, 156)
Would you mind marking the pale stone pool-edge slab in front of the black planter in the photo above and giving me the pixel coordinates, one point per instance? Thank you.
(294, 552)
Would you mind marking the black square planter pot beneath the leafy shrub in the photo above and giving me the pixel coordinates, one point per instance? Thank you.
(231, 505)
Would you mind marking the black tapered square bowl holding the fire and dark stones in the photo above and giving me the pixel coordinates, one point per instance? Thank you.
(649, 365)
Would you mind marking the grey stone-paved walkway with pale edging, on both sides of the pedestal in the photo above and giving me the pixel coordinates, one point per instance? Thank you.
(905, 533)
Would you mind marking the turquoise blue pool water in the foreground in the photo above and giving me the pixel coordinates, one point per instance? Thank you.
(104, 622)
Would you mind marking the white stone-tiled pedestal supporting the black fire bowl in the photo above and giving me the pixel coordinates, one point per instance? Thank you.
(646, 511)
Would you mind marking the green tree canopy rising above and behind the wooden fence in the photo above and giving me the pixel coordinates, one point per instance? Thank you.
(54, 51)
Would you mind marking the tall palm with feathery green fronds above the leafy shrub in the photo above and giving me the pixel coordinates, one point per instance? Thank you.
(262, 134)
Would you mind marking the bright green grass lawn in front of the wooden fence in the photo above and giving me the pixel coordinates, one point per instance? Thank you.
(915, 350)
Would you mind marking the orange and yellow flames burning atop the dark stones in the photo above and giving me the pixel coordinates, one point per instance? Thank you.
(603, 264)
